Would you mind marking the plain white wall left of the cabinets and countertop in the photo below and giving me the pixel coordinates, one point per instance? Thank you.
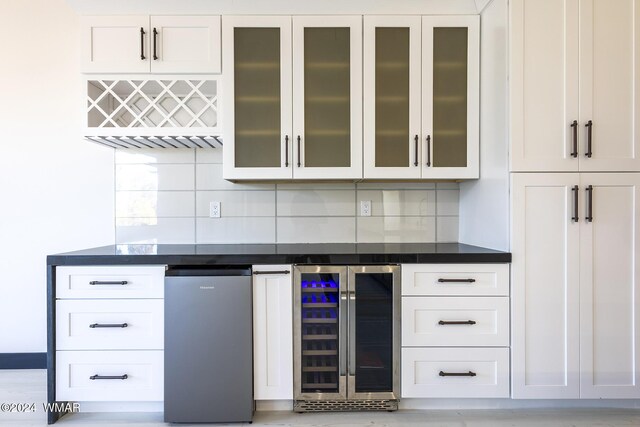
(56, 189)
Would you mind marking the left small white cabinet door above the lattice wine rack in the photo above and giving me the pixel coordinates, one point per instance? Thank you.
(115, 44)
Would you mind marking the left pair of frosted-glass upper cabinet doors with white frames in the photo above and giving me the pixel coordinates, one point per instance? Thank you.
(293, 97)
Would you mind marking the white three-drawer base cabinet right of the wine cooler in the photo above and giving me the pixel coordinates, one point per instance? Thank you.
(455, 330)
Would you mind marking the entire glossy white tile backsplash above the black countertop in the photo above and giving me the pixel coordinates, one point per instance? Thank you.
(163, 197)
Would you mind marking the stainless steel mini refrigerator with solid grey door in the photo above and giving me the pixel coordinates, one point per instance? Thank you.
(208, 346)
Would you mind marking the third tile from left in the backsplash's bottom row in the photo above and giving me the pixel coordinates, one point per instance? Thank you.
(322, 229)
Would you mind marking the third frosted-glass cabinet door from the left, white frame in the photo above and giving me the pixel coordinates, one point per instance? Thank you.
(392, 147)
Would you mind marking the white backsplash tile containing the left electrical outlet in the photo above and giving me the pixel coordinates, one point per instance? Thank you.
(237, 203)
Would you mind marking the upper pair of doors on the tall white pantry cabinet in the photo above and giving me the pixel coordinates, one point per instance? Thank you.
(574, 101)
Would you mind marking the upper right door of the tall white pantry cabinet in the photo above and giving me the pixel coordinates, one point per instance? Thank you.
(609, 72)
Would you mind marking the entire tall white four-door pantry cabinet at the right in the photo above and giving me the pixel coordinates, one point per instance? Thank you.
(574, 232)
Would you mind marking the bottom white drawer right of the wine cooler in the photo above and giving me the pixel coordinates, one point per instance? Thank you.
(425, 372)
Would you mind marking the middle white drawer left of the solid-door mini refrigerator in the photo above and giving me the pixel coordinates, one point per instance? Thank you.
(100, 324)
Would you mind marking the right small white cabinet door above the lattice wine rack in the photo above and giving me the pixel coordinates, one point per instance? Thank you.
(185, 44)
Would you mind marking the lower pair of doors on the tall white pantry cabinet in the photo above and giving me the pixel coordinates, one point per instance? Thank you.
(575, 285)
